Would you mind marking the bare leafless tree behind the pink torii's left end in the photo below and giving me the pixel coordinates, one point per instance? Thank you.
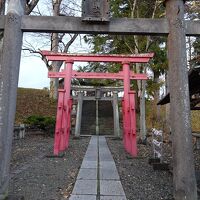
(57, 42)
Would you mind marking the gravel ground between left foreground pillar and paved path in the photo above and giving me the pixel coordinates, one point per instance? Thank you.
(37, 177)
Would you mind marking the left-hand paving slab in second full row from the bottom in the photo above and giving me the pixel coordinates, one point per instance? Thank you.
(87, 174)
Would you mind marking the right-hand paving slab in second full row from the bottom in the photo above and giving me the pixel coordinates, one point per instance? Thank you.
(109, 174)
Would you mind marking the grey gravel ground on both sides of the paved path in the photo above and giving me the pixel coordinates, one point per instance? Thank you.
(37, 177)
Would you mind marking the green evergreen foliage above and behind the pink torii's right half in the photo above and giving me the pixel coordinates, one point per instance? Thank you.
(126, 44)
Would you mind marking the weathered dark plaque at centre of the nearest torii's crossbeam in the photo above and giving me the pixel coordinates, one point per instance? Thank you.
(95, 10)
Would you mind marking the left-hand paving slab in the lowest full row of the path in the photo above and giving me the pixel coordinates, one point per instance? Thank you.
(85, 187)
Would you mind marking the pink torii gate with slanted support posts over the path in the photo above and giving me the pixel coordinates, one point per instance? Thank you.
(62, 130)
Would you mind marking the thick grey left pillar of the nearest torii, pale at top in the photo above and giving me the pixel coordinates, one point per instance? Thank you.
(9, 73)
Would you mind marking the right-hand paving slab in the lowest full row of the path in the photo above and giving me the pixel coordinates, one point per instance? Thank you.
(112, 188)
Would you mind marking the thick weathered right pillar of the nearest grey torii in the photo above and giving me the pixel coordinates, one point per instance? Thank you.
(183, 162)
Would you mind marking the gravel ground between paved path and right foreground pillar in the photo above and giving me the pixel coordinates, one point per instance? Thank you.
(138, 178)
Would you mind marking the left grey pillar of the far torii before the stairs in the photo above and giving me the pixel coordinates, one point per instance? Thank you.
(79, 114)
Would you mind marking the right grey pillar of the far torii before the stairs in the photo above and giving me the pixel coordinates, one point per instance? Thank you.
(116, 114)
